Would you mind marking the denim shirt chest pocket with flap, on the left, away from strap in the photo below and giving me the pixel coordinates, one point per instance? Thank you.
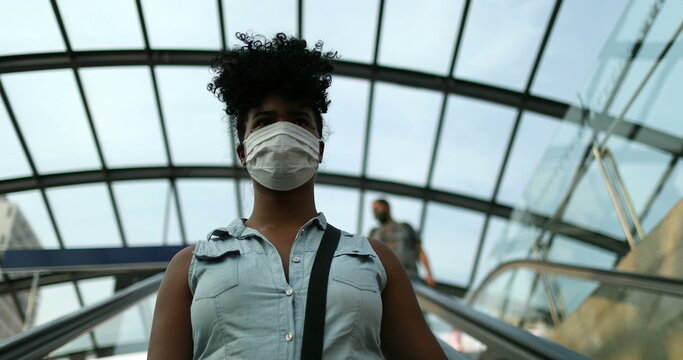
(220, 269)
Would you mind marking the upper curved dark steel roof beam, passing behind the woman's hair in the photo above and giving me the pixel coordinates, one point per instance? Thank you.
(46, 61)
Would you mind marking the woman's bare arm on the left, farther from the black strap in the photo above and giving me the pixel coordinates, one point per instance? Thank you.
(171, 328)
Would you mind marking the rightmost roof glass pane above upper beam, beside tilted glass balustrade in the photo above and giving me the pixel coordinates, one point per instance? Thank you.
(581, 30)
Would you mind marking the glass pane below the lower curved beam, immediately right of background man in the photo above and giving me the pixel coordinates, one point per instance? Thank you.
(450, 239)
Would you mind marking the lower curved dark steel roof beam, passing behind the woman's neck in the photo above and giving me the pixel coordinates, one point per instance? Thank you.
(231, 172)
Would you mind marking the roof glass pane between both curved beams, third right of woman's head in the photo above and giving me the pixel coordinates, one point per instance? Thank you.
(473, 142)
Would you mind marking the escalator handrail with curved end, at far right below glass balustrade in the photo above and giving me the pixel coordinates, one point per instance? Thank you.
(645, 282)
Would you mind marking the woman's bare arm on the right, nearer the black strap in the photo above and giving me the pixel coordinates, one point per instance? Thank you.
(405, 334)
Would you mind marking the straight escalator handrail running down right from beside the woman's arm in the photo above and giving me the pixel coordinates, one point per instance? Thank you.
(497, 335)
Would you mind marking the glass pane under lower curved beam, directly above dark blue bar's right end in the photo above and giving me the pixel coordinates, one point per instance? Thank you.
(148, 212)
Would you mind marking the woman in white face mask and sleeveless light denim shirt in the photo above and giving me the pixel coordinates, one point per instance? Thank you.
(242, 293)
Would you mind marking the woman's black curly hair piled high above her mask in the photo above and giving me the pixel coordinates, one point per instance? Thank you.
(282, 66)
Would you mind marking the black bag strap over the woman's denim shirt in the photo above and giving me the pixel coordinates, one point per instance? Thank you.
(316, 302)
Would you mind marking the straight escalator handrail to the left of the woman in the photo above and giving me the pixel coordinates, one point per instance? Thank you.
(39, 341)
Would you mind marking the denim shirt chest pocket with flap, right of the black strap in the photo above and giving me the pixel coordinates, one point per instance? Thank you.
(356, 268)
